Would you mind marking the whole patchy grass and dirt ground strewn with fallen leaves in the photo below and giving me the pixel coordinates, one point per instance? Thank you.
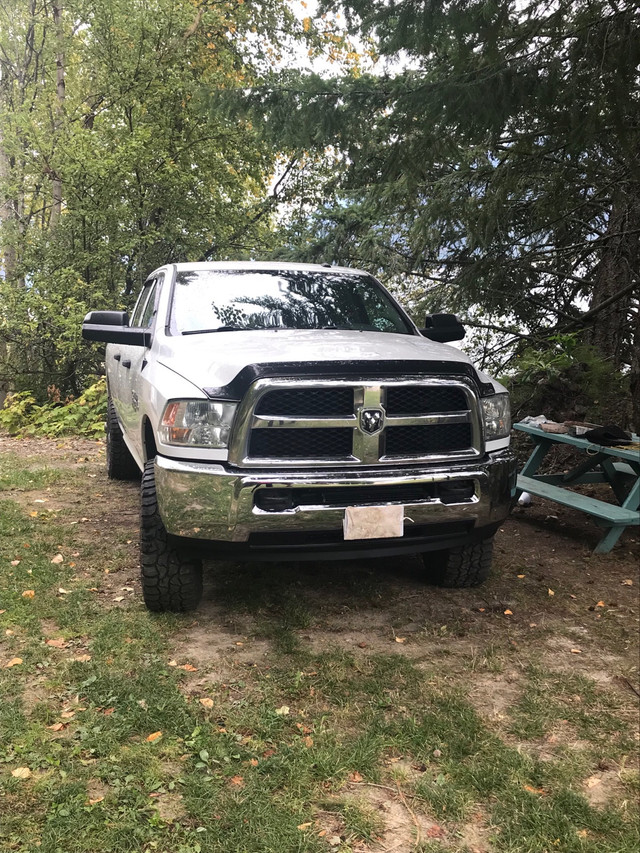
(302, 709)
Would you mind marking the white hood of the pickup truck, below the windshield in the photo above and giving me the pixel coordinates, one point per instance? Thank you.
(214, 359)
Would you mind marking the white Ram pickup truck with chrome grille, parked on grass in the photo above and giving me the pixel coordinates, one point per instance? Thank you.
(288, 411)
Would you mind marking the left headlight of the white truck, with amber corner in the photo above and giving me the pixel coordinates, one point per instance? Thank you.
(197, 423)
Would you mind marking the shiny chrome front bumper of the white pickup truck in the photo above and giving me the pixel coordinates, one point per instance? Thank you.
(206, 501)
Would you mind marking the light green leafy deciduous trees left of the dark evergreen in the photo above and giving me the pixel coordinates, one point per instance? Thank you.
(147, 174)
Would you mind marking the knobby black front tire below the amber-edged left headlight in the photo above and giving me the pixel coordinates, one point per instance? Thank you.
(171, 580)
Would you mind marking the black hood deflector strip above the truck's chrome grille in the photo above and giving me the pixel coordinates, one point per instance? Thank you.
(364, 370)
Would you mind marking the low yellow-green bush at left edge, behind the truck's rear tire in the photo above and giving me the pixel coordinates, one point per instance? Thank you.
(85, 415)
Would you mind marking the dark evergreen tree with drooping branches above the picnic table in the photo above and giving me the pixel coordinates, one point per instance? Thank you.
(495, 170)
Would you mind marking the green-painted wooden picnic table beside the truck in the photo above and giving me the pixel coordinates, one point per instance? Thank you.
(617, 466)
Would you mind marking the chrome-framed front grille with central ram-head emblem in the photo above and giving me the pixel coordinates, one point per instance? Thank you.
(297, 422)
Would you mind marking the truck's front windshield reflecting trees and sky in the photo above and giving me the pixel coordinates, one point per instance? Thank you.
(236, 300)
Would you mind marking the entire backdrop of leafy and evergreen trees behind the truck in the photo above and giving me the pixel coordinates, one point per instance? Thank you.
(492, 167)
